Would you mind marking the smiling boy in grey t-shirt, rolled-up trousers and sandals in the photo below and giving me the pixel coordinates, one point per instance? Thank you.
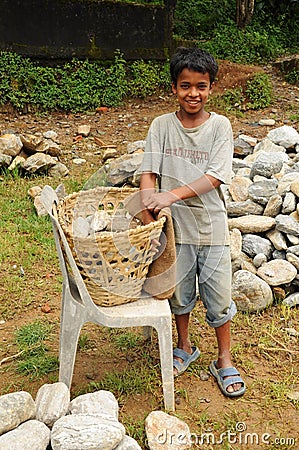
(189, 155)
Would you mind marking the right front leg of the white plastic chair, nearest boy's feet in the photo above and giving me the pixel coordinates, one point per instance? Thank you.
(166, 358)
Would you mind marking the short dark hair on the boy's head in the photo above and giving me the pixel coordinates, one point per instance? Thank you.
(193, 58)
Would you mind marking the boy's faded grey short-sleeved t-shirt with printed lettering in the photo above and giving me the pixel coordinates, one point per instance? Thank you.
(181, 155)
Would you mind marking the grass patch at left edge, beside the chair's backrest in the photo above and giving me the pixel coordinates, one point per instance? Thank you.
(26, 242)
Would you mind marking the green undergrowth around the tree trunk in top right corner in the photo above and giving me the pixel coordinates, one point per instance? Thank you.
(212, 25)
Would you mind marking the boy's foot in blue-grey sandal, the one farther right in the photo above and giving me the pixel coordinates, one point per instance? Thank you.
(228, 379)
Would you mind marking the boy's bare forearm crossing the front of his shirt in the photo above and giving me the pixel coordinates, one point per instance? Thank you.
(156, 201)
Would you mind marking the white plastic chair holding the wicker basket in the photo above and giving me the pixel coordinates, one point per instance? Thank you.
(79, 308)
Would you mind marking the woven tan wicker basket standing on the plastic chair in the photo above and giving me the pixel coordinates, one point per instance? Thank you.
(113, 264)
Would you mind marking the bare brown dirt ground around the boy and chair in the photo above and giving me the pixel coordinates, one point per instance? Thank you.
(269, 374)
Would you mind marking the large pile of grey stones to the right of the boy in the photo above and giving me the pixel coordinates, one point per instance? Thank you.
(263, 209)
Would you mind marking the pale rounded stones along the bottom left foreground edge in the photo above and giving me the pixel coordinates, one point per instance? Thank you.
(88, 422)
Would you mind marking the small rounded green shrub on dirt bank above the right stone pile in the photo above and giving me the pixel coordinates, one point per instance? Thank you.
(259, 91)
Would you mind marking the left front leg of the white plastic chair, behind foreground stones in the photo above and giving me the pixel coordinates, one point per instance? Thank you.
(70, 327)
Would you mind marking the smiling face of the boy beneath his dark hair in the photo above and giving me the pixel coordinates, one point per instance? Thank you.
(192, 90)
